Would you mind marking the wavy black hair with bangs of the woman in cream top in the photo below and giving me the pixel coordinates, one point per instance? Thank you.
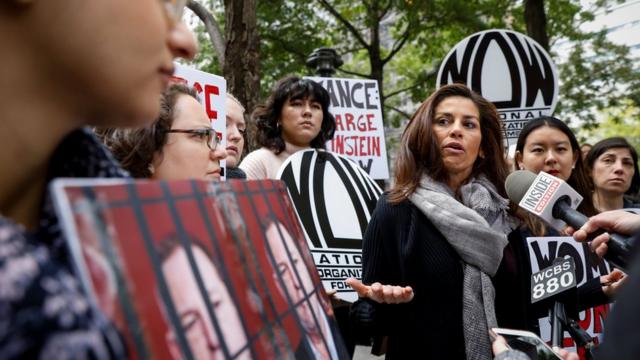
(267, 115)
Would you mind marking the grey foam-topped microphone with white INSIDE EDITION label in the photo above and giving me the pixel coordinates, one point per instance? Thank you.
(555, 202)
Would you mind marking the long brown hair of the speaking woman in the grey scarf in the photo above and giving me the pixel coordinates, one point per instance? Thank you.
(419, 152)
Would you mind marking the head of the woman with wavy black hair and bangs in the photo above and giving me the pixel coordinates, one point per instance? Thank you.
(297, 112)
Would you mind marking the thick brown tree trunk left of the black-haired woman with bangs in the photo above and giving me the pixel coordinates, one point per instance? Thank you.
(241, 67)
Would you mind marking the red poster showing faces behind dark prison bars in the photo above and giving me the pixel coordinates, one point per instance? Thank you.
(197, 270)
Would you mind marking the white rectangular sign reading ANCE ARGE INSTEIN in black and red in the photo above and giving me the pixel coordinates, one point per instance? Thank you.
(359, 135)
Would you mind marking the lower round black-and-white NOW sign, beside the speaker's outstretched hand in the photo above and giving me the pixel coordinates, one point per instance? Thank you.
(334, 199)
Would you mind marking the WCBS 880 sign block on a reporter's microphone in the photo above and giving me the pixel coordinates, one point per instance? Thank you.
(553, 280)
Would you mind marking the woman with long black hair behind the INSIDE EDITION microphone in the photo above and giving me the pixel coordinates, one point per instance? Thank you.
(545, 144)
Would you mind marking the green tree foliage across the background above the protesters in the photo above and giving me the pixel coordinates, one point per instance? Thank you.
(596, 75)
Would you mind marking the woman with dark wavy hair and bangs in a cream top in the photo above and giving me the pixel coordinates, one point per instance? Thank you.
(295, 117)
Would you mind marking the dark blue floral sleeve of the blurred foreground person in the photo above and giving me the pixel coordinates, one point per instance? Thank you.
(43, 312)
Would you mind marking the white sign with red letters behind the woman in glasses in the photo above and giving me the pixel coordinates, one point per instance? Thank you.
(212, 91)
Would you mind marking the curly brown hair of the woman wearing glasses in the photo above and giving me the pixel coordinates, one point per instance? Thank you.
(135, 148)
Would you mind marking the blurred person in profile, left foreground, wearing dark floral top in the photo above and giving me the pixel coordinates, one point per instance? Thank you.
(68, 64)
